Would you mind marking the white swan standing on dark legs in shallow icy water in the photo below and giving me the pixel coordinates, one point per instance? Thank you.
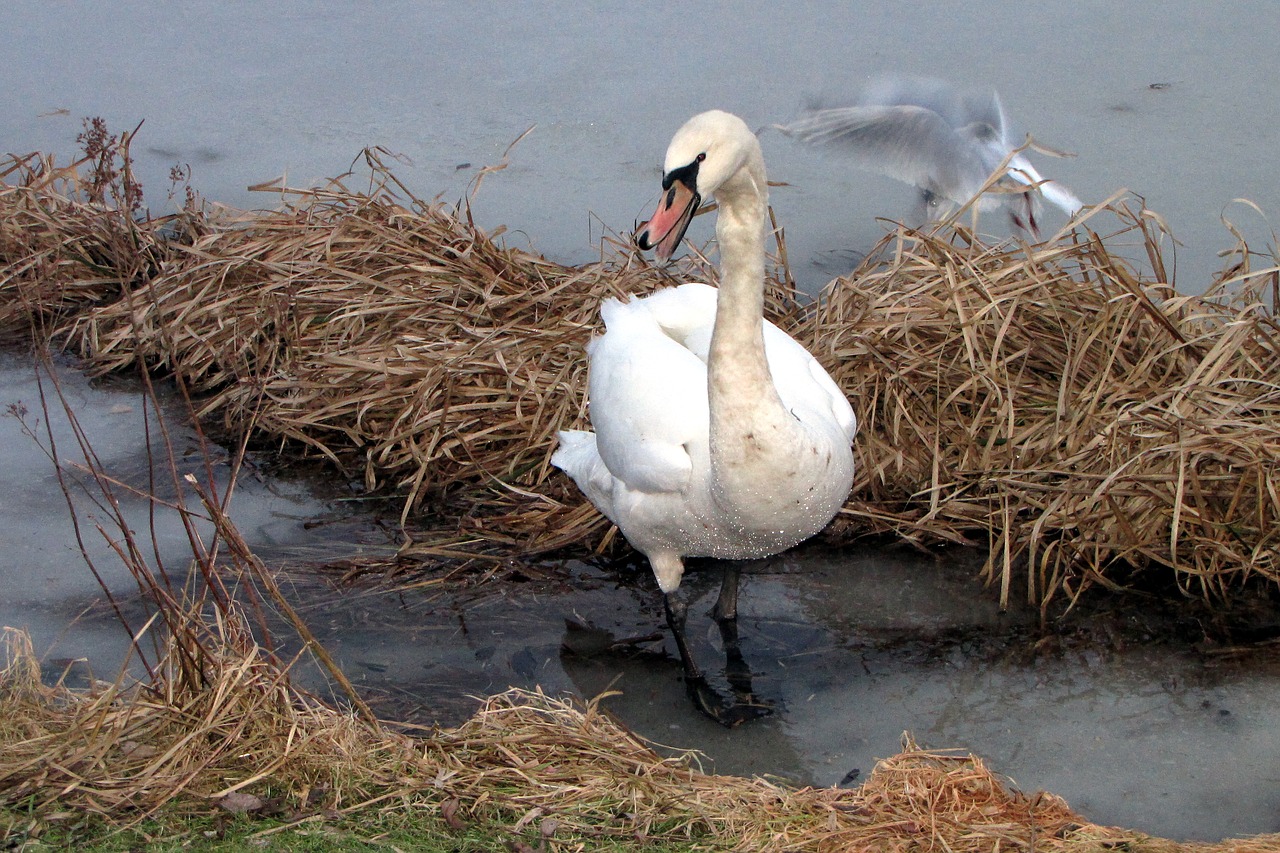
(716, 434)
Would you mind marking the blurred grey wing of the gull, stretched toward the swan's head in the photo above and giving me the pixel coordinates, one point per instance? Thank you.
(911, 144)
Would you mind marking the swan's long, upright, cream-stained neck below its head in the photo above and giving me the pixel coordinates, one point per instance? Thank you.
(749, 426)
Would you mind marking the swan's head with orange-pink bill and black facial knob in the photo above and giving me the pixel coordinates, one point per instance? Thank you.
(711, 152)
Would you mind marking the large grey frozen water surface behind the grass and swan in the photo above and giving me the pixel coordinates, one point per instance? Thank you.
(1177, 104)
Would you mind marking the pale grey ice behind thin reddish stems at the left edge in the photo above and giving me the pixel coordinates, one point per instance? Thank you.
(45, 585)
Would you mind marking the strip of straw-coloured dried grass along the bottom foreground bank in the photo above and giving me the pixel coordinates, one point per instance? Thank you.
(525, 761)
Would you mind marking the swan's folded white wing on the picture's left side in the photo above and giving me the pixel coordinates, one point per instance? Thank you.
(648, 402)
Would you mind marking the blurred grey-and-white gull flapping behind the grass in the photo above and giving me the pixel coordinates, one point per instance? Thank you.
(940, 139)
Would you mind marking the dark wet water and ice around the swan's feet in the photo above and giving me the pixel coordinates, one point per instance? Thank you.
(1132, 708)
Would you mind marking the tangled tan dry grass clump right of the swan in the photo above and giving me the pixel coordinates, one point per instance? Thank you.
(1081, 416)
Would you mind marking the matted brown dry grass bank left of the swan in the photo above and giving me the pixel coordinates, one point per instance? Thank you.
(382, 332)
